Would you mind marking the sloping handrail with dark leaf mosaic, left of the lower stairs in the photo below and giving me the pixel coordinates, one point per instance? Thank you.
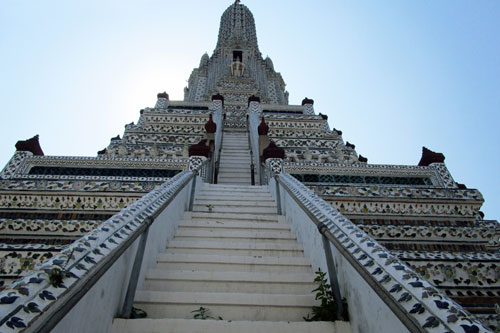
(84, 262)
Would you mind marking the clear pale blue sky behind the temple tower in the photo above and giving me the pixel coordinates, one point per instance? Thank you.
(392, 75)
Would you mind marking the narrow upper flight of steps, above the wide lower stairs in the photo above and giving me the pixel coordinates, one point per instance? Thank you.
(235, 158)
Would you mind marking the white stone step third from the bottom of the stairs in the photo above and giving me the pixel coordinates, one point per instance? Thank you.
(230, 282)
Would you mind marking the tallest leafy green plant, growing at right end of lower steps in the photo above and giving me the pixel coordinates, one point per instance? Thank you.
(327, 310)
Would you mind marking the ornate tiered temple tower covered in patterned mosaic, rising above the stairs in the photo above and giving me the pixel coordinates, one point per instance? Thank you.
(235, 115)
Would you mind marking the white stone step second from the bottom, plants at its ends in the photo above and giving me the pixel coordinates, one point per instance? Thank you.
(230, 306)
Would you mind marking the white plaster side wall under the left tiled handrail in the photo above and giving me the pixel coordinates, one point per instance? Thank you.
(103, 302)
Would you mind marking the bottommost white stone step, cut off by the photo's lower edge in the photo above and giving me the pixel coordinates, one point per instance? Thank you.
(225, 326)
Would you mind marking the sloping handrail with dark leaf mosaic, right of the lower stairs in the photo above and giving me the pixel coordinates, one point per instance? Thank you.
(408, 296)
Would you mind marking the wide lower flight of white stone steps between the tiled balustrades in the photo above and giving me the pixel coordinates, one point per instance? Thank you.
(236, 257)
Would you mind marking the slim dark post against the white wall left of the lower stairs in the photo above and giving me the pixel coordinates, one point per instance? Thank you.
(136, 269)
